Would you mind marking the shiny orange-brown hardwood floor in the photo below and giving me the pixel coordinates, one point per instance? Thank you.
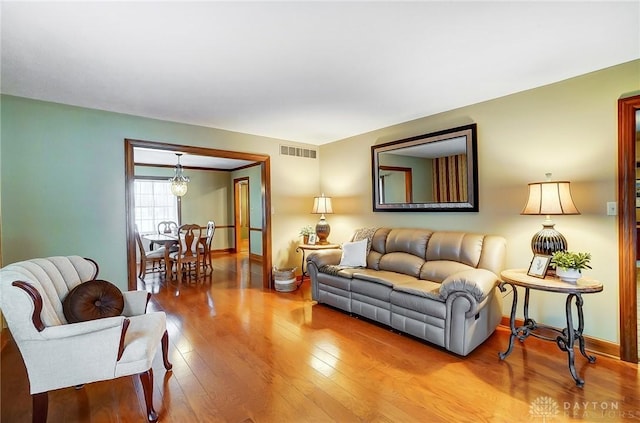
(243, 354)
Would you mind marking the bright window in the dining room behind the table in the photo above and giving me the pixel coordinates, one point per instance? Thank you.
(153, 204)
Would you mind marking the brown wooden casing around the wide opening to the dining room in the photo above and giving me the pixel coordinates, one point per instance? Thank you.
(265, 189)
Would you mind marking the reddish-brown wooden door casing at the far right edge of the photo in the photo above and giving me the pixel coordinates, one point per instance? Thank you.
(627, 108)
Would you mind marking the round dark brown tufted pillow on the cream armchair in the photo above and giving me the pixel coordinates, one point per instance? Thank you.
(92, 300)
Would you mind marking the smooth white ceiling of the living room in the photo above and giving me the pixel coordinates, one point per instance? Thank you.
(311, 72)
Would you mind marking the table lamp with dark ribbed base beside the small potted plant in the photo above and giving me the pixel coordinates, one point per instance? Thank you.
(549, 198)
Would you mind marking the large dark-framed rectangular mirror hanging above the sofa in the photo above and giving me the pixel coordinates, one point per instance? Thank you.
(432, 172)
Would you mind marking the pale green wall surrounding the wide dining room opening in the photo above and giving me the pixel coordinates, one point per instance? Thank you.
(62, 182)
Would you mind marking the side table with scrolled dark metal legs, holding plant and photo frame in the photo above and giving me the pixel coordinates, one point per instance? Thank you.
(566, 337)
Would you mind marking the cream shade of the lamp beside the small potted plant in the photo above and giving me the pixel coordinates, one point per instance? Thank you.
(550, 198)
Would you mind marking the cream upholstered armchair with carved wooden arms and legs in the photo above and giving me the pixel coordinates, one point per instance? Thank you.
(58, 354)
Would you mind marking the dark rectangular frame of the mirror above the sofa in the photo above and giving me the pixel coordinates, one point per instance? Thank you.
(469, 132)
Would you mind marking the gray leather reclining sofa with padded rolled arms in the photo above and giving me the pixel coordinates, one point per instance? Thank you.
(437, 286)
